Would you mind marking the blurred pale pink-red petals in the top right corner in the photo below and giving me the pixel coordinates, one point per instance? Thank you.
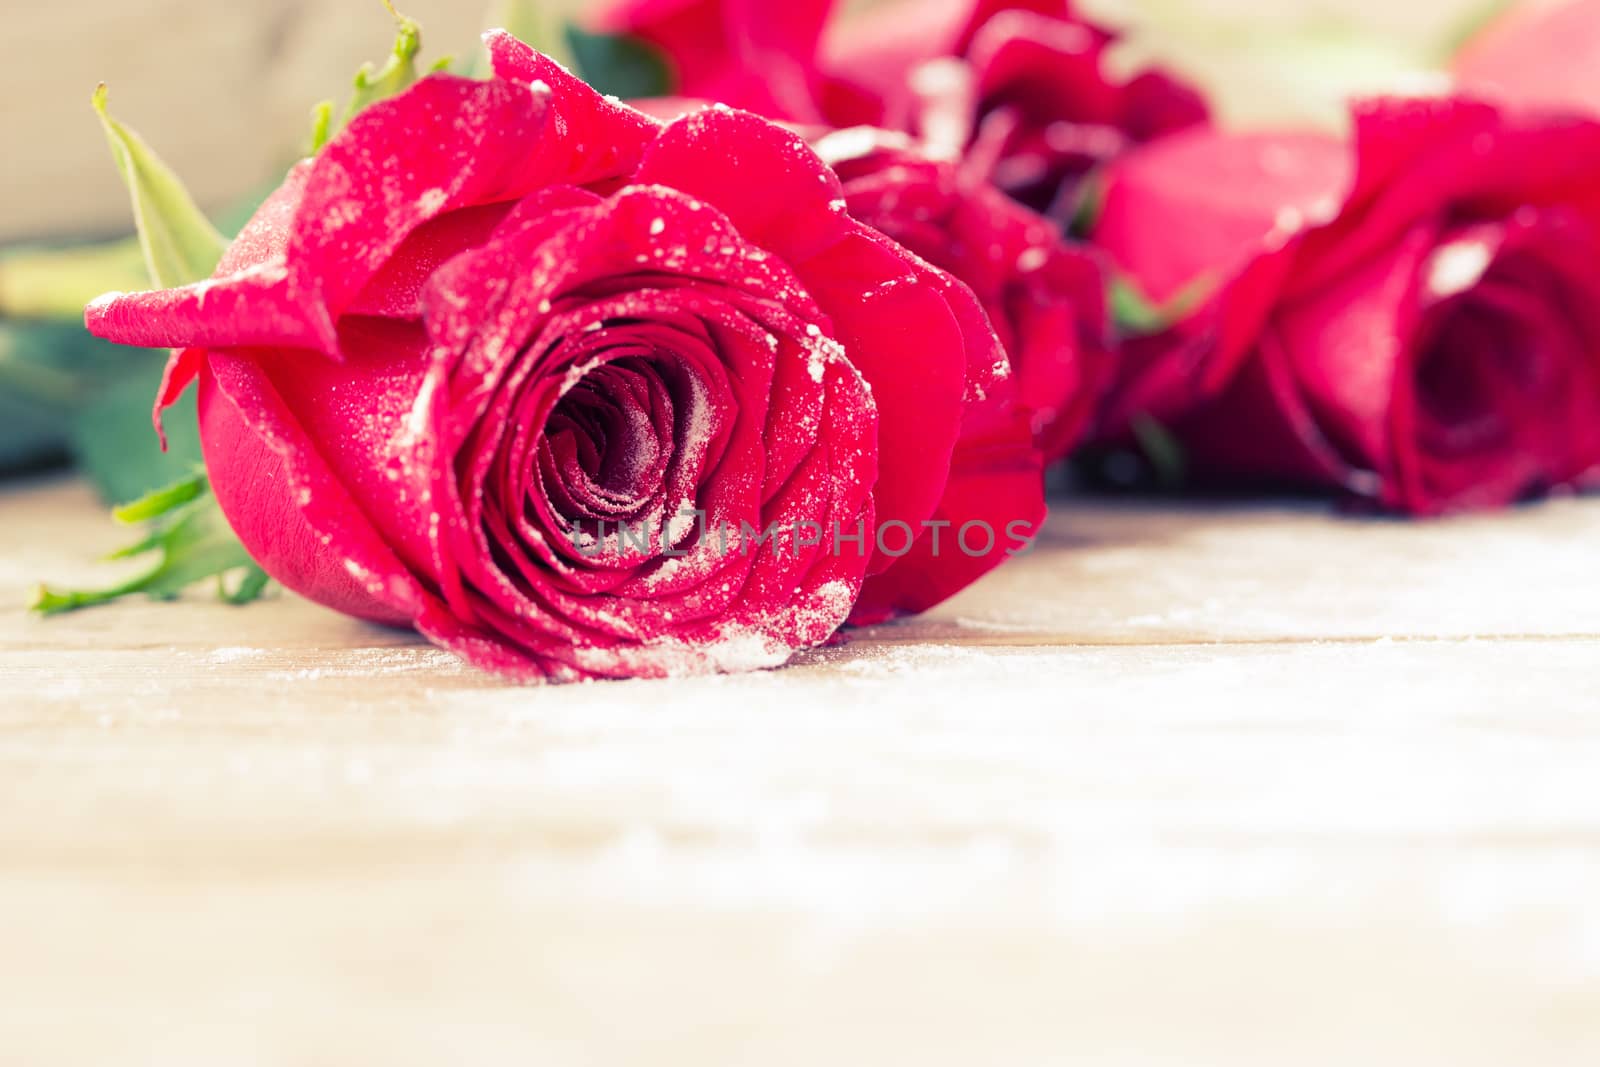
(1545, 57)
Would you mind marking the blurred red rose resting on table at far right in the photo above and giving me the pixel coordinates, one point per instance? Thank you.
(1422, 335)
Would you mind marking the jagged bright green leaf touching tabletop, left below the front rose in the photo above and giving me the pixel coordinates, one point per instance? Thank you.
(193, 540)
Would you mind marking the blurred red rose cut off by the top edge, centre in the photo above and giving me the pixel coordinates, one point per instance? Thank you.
(1018, 89)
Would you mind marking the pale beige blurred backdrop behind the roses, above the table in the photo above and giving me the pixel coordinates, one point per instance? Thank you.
(223, 89)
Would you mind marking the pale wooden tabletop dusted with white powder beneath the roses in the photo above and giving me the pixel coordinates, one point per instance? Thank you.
(1193, 785)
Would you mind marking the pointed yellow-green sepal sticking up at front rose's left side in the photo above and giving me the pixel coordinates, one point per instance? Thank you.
(178, 242)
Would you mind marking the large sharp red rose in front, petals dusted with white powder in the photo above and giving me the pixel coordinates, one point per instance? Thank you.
(578, 394)
